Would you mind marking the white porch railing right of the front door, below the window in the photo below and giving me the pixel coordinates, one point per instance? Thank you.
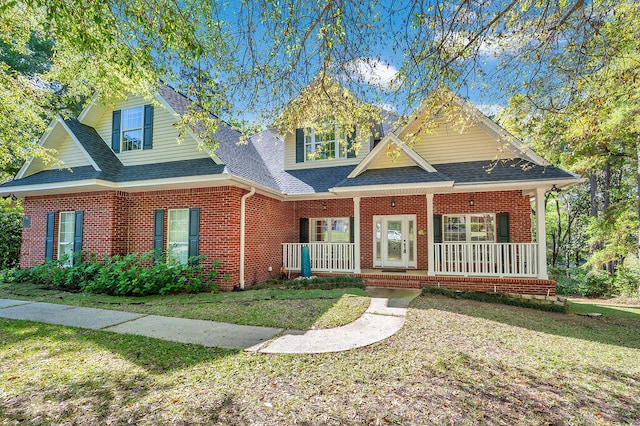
(486, 259)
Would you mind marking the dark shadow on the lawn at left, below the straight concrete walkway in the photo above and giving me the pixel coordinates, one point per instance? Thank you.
(153, 355)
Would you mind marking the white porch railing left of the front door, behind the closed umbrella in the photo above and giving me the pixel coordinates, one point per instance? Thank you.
(326, 257)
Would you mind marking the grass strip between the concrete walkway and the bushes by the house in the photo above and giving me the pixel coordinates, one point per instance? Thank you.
(291, 309)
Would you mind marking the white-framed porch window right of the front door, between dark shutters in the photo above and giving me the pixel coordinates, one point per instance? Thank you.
(470, 227)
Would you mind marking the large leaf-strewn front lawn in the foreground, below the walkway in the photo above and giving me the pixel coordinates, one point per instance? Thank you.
(454, 362)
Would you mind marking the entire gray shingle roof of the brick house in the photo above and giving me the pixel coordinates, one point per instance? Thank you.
(261, 161)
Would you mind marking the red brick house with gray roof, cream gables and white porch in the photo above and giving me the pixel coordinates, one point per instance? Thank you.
(454, 210)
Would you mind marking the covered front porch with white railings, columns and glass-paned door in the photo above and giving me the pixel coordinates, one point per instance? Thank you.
(429, 256)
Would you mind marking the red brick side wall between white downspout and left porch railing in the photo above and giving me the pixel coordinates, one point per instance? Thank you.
(269, 224)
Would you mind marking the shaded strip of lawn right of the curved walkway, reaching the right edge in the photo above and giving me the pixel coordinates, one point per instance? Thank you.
(612, 331)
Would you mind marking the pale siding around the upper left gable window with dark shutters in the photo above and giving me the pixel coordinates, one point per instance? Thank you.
(165, 136)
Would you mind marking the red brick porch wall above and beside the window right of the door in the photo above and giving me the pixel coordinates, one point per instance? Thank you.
(513, 202)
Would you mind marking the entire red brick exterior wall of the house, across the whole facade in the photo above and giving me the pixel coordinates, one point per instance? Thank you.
(119, 223)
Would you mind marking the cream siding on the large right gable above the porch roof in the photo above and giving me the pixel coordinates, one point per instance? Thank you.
(449, 145)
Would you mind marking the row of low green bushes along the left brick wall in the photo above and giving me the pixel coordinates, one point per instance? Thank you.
(131, 275)
